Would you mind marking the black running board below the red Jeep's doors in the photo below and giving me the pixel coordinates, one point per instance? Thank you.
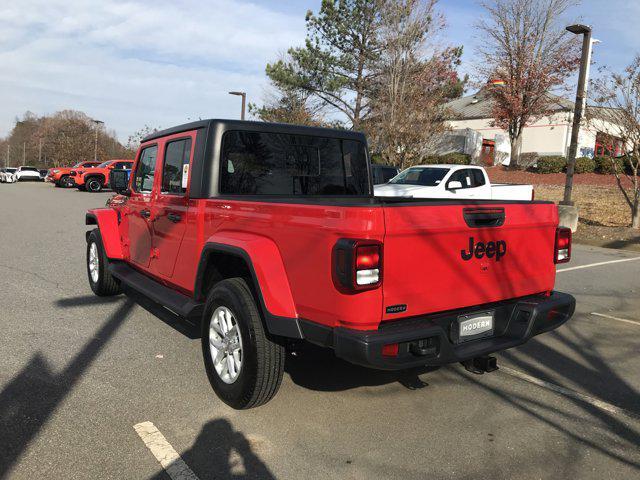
(177, 303)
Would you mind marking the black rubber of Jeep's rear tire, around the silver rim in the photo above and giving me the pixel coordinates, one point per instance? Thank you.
(262, 367)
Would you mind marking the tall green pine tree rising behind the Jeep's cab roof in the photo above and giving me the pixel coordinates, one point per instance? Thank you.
(335, 65)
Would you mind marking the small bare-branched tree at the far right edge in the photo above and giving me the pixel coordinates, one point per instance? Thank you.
(619, 94)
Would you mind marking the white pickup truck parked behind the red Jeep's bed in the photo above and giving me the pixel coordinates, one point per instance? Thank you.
(450, 181)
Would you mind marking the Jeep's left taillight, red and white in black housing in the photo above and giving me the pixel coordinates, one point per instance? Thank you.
(357, 265)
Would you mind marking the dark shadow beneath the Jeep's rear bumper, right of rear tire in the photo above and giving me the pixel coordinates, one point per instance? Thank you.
(319, 369)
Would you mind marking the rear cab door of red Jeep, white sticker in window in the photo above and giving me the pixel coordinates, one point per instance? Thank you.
(172, 203)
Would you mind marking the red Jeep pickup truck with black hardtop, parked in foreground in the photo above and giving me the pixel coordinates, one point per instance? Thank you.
(266, 233)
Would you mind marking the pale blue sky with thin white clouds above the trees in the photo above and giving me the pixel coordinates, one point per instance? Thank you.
(161, 63)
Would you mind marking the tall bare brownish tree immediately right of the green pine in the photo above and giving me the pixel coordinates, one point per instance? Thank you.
(410, 89)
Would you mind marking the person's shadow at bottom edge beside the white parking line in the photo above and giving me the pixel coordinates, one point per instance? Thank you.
(220, 452)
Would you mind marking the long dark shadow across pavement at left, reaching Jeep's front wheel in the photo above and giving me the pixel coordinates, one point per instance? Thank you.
(33, 395)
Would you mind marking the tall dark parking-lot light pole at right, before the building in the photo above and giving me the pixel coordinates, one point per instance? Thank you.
(578, 109)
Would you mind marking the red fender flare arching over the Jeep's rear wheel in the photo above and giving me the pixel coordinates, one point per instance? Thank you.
(268, 275)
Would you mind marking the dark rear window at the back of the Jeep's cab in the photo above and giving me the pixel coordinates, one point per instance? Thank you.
(257, 163)
